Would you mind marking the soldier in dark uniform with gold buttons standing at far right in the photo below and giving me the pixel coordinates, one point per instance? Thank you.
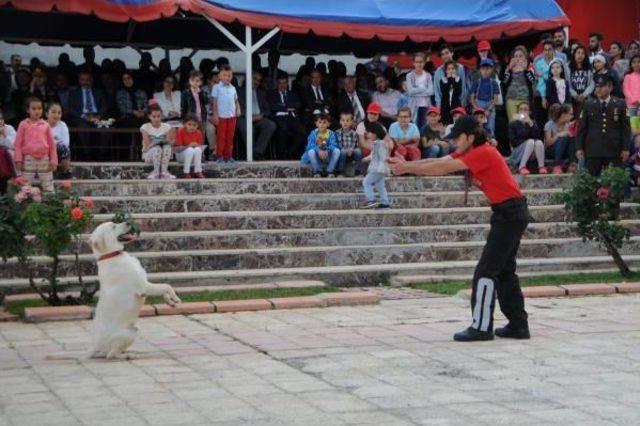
(604, 130)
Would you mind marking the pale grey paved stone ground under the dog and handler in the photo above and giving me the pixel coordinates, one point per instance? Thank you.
(391, 364)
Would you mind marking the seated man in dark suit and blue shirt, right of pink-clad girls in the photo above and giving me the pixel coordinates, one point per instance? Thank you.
(87, 104)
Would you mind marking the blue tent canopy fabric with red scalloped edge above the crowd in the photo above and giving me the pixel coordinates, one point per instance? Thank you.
(387, 20)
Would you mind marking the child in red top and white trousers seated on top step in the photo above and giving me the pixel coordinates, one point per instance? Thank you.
(189, 147)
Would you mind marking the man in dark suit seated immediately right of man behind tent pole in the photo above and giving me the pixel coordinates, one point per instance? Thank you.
(285, 106)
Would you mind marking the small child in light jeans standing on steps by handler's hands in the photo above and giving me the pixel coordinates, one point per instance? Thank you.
(378, 168)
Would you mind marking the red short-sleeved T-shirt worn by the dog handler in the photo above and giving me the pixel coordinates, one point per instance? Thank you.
(491, 174)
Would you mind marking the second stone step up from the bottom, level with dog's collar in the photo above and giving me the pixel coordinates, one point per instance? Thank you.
(293, 257)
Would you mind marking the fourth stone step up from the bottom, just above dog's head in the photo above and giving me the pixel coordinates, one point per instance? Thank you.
(336, 218)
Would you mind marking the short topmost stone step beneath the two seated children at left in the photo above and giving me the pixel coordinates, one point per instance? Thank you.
(139, 170)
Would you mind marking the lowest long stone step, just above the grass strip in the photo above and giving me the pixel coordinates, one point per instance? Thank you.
(348, 275)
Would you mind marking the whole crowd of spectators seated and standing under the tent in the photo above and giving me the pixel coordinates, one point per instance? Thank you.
(532, 107)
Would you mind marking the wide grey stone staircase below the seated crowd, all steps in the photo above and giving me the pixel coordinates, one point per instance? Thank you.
(271, 222)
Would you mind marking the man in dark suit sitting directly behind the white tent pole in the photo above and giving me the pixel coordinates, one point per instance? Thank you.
(263, 128)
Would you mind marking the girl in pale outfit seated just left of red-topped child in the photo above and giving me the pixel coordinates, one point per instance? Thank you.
(157, 139)
